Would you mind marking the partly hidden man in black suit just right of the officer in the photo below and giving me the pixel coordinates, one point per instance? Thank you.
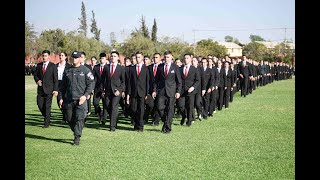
(97, 73)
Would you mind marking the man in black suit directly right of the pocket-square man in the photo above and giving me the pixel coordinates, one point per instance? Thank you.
(190, 80)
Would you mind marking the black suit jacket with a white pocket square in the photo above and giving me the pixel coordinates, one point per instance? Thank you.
(170, 84)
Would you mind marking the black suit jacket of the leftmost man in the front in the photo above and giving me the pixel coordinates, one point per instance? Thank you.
(49, 78)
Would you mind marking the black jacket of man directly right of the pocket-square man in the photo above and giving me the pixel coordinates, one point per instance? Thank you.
(192, 79)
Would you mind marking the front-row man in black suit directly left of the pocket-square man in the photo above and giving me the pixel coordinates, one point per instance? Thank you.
(138, 87)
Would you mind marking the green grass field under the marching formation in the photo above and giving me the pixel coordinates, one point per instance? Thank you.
(253, 139)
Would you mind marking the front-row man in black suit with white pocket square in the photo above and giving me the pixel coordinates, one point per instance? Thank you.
(167, 88)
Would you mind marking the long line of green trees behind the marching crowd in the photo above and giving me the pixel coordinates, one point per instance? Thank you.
(58, 40)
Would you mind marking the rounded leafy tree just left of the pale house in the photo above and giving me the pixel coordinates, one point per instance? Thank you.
(208, 46)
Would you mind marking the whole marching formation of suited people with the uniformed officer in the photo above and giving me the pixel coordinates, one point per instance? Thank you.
(147, 88)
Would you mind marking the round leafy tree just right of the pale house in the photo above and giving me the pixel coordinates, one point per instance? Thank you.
(255, 51)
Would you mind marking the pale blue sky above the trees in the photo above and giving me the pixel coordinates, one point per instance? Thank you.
(188, 20)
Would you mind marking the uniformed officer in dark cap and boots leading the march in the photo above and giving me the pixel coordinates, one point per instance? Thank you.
(76, 85)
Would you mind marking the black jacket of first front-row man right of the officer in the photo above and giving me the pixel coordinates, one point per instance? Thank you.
(116, 82)
